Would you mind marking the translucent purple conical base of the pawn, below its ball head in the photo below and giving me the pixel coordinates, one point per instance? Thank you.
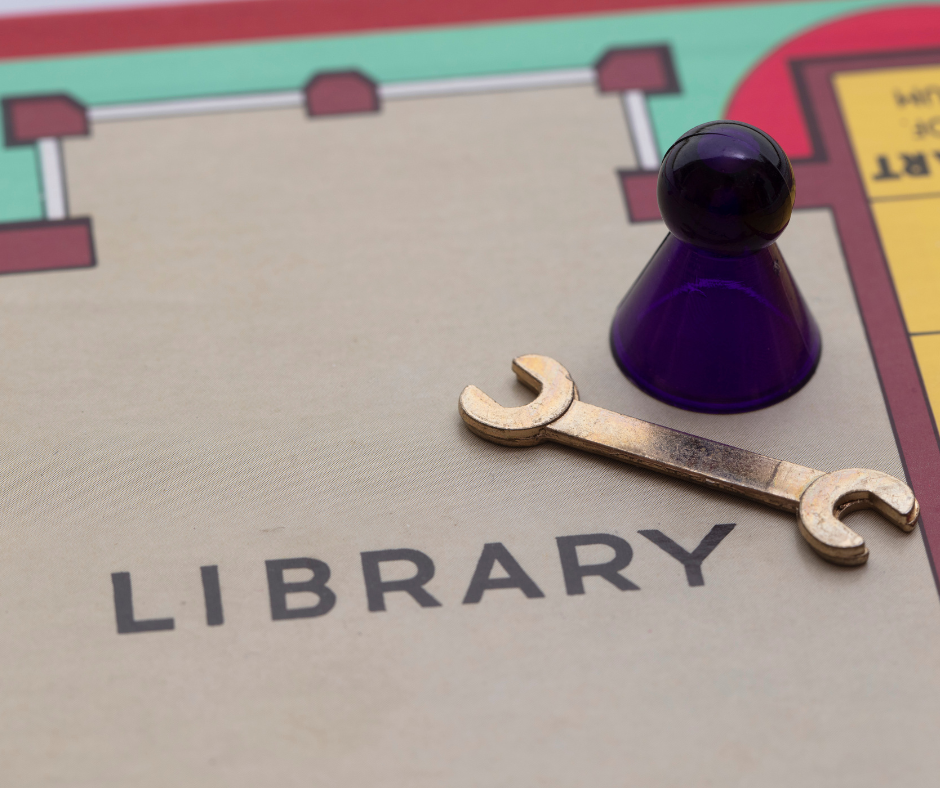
(715, 333)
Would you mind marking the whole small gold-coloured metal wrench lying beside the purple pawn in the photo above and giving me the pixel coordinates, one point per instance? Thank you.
(819, 498)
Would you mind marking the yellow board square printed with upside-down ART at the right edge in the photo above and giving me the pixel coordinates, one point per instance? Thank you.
(893, 117)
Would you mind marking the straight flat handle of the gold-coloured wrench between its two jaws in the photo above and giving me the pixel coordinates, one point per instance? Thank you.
(717, 465)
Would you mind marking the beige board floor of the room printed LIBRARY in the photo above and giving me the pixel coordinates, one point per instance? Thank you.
(265, 364)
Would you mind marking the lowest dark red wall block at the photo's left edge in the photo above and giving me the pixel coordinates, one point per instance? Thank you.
(46, 246)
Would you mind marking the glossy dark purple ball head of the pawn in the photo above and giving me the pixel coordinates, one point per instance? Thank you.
(727, 187)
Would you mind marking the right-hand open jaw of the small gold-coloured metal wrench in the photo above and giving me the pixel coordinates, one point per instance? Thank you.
(834, 495)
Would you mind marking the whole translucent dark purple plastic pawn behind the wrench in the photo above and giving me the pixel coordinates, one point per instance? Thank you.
(715, 322)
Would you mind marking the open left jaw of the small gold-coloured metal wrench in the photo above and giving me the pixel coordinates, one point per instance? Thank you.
(522, 426)
